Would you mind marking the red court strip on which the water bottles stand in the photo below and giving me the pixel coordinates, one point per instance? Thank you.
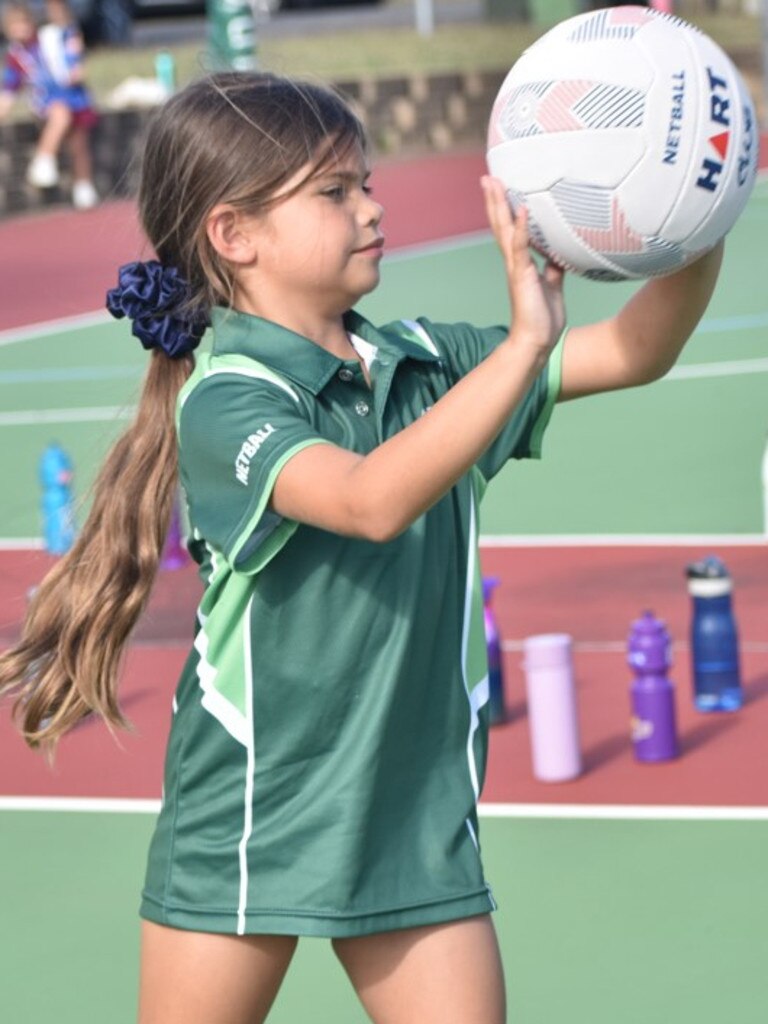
(591, 592)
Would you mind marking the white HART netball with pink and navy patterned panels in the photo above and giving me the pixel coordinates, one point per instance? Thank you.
(630, 138)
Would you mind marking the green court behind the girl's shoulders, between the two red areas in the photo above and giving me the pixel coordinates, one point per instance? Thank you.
(680, 457)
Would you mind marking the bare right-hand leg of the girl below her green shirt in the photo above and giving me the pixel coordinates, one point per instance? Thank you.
(443, 974)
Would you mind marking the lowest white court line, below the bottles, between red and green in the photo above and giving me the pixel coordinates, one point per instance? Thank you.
(610, 813)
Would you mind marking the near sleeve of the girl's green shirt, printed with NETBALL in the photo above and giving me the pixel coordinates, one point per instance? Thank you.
(236, 435)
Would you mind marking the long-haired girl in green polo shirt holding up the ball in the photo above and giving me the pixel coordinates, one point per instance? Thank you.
(329, 731)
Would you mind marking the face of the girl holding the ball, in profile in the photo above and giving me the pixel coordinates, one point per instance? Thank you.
(319, 250)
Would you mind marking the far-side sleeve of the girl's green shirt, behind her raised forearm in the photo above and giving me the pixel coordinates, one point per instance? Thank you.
(462, 348)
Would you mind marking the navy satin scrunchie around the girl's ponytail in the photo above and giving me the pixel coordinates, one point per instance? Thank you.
(151, 294)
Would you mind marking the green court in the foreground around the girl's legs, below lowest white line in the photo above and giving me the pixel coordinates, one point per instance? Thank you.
(601, 922)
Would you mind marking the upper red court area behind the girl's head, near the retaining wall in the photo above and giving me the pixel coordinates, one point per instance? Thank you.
(62, 264)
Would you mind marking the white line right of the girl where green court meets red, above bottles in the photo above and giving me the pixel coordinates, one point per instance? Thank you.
(623, 541)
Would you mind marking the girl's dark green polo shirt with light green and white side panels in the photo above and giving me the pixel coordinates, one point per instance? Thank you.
(329, 737)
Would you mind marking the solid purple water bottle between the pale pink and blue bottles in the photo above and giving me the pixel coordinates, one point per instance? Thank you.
(650, 656)
